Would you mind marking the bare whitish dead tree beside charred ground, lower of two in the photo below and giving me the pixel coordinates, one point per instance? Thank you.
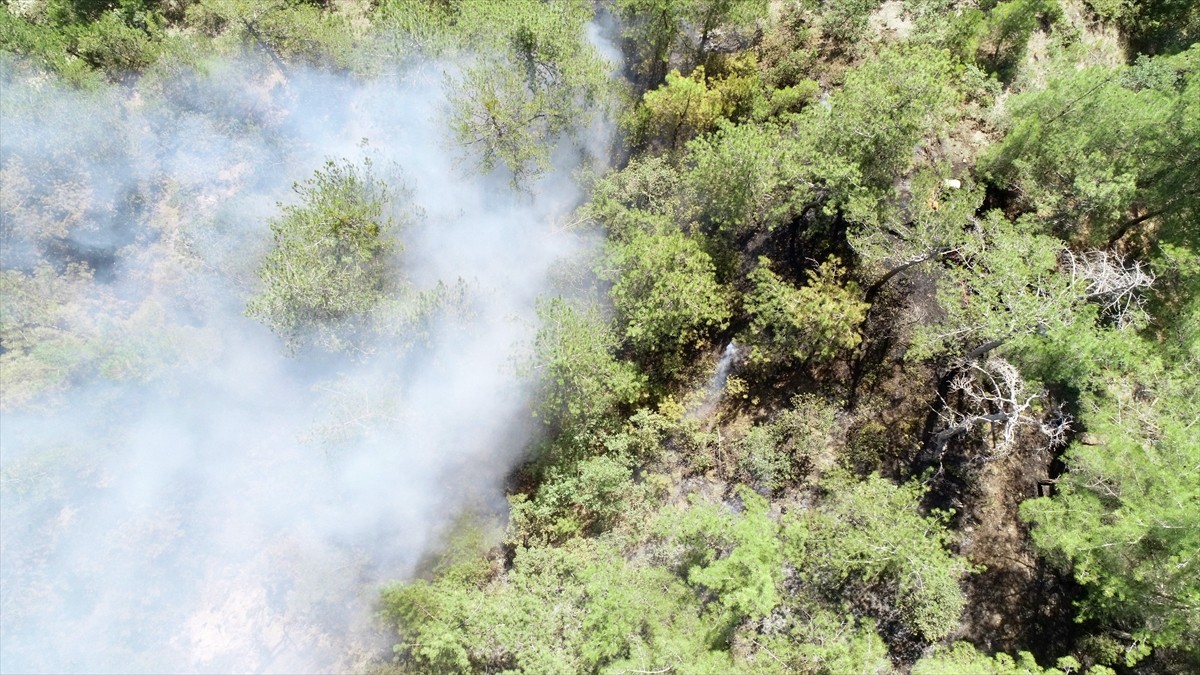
(995, 395)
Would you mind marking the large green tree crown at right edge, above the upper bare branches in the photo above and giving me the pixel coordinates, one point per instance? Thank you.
(1091, 152)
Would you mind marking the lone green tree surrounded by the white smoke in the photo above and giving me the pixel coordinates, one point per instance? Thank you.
(329, 265)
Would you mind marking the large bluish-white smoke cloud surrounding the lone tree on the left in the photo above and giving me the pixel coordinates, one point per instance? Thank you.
(179, 494)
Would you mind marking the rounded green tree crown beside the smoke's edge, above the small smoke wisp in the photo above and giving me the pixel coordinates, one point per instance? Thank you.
(667, 294)
